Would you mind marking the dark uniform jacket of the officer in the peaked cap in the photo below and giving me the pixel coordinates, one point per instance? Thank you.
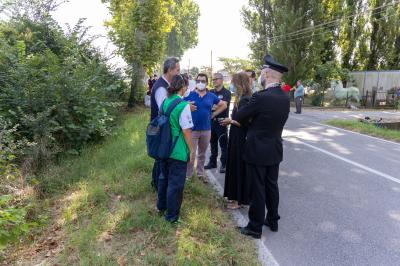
(268, 111)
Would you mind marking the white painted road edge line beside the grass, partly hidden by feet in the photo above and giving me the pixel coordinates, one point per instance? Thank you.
(264, 255)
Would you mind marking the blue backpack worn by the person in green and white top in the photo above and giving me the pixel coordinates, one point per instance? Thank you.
(160, 143)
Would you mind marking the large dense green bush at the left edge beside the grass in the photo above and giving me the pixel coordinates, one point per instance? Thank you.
(55, 86)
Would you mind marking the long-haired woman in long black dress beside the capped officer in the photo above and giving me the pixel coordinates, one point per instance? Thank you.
(237, 185)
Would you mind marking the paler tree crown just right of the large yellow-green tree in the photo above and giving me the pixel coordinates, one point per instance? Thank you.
(183, 35)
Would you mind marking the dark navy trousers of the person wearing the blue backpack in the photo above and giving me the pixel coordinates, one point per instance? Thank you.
(170, 188)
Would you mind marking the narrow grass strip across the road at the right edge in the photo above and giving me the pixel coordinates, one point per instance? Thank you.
(367, 129)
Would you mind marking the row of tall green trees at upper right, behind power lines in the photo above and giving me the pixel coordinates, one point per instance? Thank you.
(308, 34)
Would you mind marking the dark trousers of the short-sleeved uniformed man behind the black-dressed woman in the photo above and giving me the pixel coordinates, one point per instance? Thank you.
(218, 134)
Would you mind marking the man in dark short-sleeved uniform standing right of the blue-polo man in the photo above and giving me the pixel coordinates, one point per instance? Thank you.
(218, 132)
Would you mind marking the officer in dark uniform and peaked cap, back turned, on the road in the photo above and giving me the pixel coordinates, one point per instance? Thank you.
(268, 111)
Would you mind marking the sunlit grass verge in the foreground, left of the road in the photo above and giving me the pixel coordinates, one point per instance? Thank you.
(103, 213)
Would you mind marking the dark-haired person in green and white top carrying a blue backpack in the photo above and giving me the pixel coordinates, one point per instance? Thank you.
(172, 180)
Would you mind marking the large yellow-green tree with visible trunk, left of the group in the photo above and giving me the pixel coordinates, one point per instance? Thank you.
(139, 29)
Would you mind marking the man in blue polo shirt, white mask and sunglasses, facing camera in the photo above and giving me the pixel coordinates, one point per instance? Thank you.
(202, 116)
